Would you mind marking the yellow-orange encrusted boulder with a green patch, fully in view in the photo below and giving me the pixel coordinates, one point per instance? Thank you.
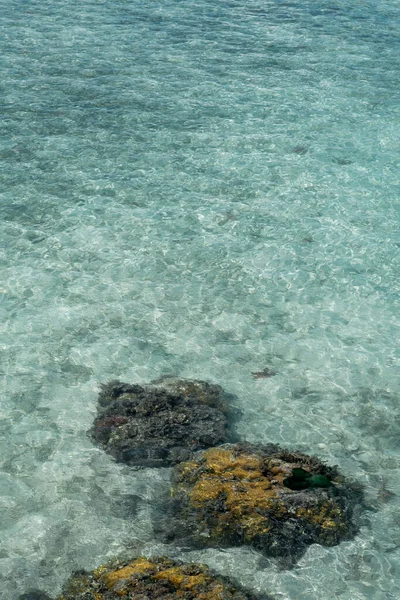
(272, 499)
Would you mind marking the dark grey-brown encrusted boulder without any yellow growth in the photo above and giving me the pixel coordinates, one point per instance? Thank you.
(162, 423)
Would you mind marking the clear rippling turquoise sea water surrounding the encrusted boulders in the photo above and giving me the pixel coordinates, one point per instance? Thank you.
(205, 189)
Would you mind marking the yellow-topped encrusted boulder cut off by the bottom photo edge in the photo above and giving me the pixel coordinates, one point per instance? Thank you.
(152, 579)
